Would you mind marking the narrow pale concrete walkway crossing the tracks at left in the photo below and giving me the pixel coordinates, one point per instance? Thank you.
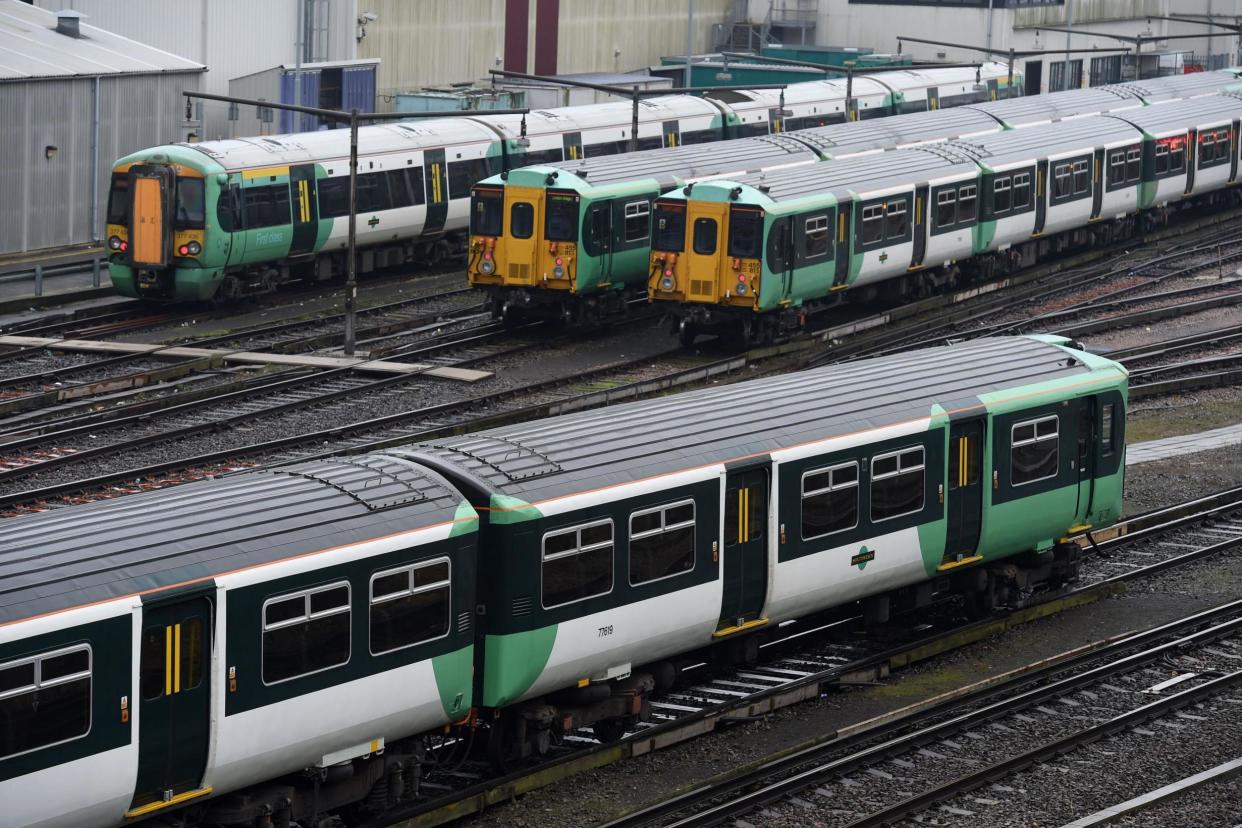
(252, 358)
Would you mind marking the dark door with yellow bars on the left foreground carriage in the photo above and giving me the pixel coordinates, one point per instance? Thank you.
(175, 702)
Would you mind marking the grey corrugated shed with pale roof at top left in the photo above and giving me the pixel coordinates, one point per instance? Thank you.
(74, 99)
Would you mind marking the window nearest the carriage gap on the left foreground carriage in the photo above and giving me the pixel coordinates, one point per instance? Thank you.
(409, 606)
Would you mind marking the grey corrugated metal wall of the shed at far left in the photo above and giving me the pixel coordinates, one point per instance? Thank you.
(48, 202)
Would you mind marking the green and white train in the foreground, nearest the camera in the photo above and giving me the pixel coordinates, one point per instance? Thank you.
(279, 645)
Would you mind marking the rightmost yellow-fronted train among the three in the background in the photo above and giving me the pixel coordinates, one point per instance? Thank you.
(755, 256)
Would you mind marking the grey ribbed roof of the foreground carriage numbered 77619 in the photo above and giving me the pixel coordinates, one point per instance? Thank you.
(591, 451)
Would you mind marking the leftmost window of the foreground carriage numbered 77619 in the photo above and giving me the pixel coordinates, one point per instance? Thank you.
(577, 563)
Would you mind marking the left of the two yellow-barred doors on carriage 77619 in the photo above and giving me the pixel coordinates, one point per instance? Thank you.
(746, 548)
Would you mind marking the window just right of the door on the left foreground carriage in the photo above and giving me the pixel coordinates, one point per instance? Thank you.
(306, 632)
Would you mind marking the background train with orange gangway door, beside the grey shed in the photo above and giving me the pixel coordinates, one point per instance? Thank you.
(228, 219)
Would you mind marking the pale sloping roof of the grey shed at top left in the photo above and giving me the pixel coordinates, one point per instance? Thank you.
(32, 48)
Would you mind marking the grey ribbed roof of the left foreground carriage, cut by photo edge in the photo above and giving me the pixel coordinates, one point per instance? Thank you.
(68, 558)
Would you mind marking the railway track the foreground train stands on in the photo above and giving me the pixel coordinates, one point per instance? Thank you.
(828, 651)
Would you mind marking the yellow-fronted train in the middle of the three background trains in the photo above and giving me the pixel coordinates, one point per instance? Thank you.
(571, 241)
